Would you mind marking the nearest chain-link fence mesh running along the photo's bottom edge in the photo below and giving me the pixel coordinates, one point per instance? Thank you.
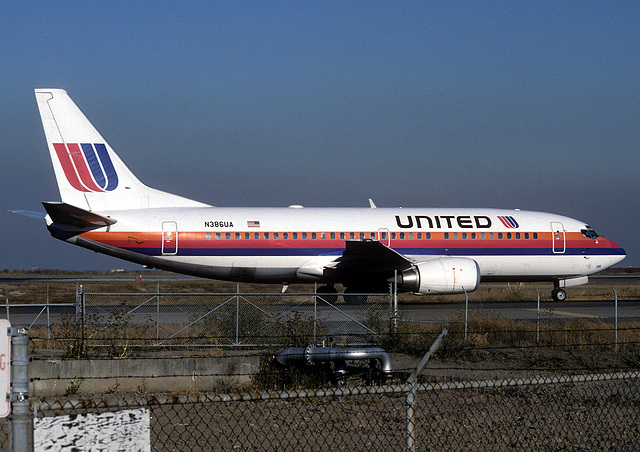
(596, 412)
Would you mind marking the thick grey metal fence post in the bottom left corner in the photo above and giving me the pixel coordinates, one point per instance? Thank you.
(20, 413)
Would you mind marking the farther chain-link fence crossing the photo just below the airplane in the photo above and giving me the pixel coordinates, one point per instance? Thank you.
(89, 318)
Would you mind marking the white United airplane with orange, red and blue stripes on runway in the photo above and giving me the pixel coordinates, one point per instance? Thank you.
(105, 208)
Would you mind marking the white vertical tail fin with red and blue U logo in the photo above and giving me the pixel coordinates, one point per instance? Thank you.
(89, 173)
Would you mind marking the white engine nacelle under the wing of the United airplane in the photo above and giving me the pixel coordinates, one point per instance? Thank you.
(441, 276)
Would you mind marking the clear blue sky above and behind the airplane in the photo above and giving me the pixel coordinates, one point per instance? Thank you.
(531, 105)
